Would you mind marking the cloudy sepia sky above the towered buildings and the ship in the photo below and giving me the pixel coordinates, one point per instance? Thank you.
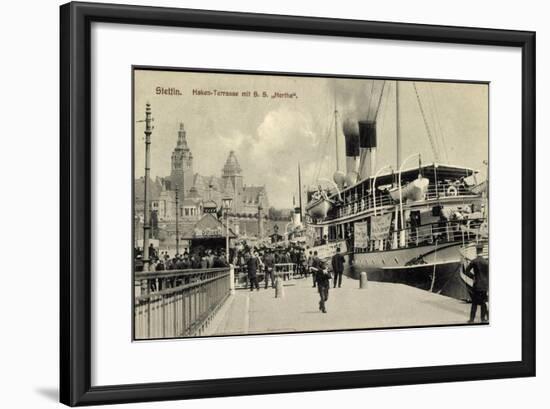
(271, 136)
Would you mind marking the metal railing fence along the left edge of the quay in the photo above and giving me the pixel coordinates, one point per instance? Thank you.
(178, 303)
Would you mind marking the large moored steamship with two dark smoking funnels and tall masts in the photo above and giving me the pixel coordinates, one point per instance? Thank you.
(407, 225)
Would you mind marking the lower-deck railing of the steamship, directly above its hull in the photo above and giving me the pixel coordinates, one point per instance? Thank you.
(443, 232)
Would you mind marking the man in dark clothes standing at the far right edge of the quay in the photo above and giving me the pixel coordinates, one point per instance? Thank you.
(478, 270)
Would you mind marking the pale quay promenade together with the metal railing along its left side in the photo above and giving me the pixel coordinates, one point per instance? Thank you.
(188, 303)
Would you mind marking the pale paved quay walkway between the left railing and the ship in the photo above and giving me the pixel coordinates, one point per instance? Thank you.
(381, 305)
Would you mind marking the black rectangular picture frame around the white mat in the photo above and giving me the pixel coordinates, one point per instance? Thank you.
(76, 202)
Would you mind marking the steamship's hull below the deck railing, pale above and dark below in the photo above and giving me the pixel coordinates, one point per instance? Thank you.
(433, 268)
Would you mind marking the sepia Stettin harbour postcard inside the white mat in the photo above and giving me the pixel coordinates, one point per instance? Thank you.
(276, 203)
